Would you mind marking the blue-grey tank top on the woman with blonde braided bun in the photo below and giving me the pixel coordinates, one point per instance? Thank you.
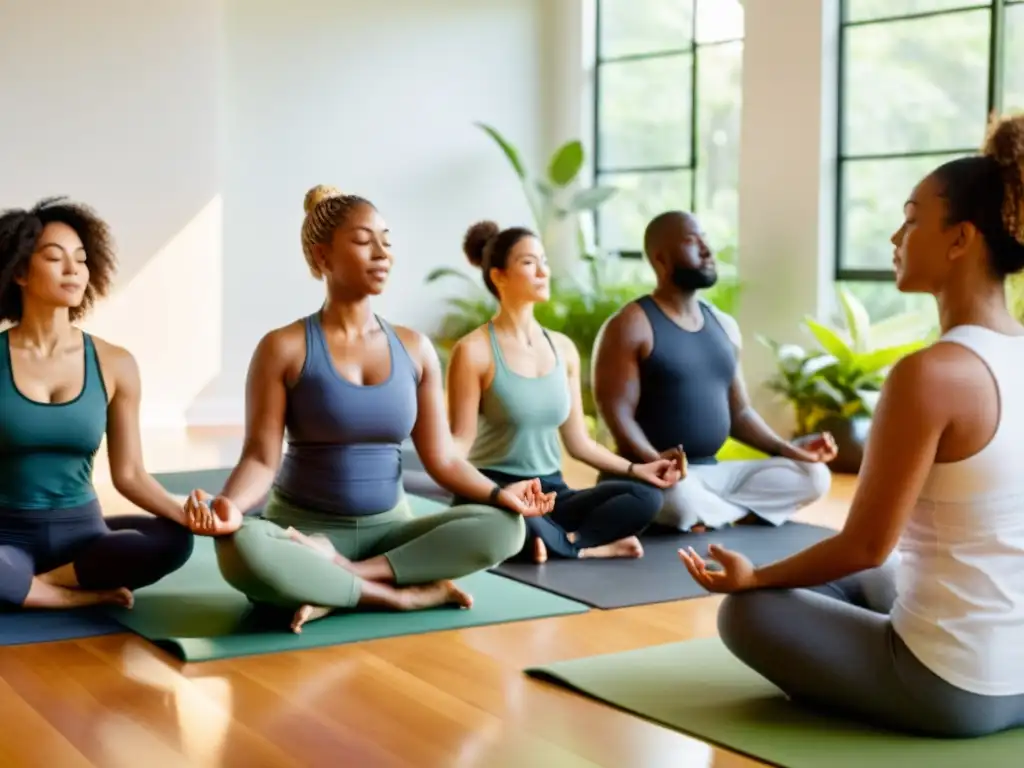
(345, 441)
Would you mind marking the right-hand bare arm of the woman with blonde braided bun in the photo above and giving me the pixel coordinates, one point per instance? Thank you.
(432, 437)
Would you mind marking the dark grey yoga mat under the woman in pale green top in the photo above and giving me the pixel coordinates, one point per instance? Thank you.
(659, 576)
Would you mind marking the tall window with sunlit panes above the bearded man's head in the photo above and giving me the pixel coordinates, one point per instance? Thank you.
(668, 100)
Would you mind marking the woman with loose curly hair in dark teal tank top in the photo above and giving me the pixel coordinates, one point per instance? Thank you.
(61, 392)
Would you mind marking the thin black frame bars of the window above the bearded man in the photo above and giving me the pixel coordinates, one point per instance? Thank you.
(694, 50)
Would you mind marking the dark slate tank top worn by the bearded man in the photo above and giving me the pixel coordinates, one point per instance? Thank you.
(685, 386)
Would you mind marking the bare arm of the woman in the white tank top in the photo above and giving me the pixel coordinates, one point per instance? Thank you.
(912, 417)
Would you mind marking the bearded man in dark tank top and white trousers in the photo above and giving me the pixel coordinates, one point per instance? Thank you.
(668, 383)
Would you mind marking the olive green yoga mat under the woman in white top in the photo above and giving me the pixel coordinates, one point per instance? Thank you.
(701, 690)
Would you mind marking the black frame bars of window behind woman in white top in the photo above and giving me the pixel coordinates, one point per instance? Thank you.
(997, 65)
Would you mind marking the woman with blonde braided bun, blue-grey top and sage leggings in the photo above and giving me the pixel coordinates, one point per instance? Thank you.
(349, 389)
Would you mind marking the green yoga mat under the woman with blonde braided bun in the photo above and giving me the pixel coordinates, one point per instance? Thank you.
(198, 617)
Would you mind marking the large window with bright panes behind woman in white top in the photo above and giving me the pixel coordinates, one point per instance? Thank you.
(918, 80)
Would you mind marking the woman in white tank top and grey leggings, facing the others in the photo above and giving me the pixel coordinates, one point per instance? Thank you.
(913, 616)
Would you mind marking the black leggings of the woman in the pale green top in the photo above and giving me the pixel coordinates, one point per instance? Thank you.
(599, 516)
